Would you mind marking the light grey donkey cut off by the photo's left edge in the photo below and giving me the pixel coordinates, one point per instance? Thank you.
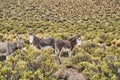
(7, 48)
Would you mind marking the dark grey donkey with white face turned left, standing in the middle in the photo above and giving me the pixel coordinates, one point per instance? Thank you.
(41, 43)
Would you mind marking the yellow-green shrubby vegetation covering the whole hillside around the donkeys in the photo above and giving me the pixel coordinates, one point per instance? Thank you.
(98, 21)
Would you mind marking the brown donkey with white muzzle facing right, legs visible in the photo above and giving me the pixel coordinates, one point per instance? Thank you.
(66, 46)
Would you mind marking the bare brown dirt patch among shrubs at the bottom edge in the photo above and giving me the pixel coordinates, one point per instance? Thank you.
(69, 74)
